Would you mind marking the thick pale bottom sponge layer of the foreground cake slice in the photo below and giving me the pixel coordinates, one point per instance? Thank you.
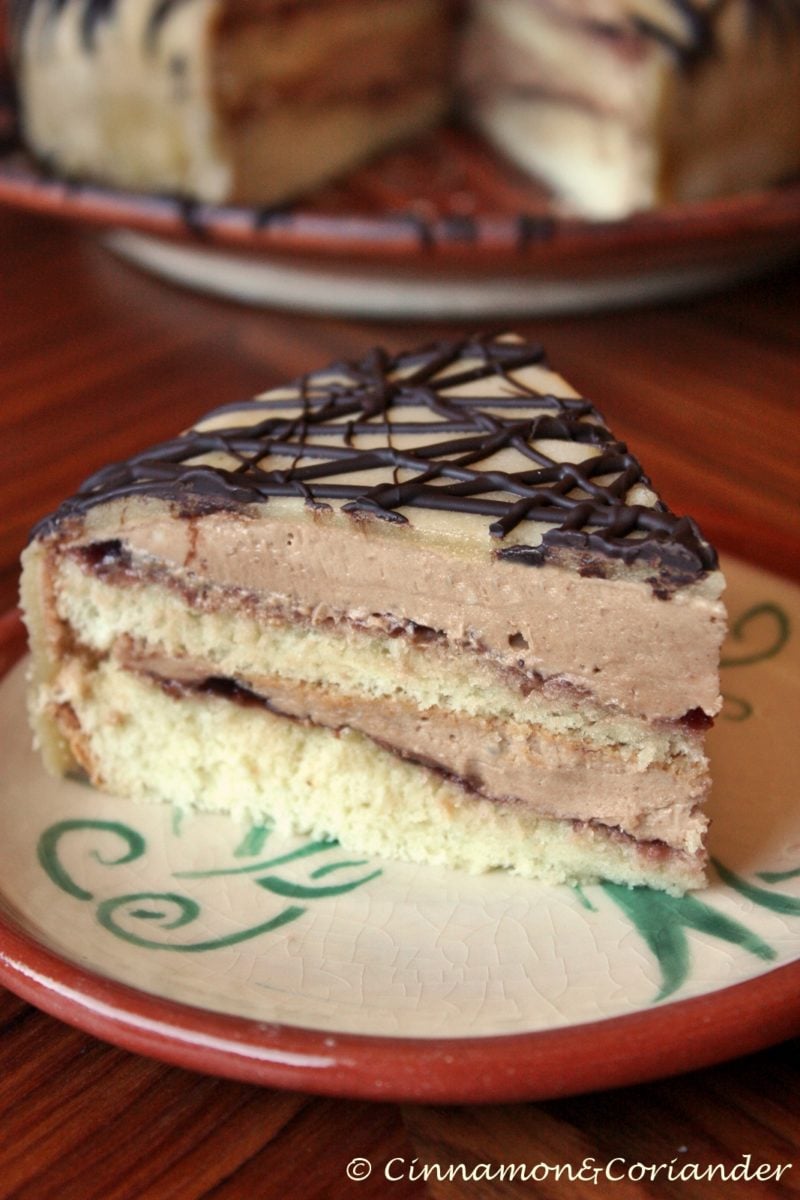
(382, 803)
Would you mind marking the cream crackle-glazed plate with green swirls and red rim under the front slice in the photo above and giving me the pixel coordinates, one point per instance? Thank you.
(297, 963)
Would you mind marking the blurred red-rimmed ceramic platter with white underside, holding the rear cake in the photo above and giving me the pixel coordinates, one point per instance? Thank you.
(440, 229)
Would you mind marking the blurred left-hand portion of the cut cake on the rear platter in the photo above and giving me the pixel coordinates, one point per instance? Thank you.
(238, 101)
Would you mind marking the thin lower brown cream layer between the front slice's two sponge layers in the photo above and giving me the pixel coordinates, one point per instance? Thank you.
(554, 776)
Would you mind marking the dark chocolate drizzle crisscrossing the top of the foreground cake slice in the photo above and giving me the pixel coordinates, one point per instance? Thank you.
(312, 445)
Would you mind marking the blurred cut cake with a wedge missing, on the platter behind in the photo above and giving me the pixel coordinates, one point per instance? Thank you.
(616, 105)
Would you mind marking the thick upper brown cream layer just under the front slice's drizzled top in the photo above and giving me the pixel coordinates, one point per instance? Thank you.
(611, 639)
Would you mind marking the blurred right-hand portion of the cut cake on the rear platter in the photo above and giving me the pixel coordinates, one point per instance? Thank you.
(627, 105)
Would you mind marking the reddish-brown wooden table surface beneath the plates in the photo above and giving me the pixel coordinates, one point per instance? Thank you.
(98, 361)
